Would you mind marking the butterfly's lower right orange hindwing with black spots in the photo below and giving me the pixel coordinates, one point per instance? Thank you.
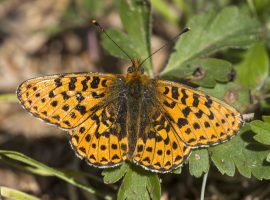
(158, 147)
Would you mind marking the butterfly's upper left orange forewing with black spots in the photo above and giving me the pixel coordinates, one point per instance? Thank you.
(65, 100)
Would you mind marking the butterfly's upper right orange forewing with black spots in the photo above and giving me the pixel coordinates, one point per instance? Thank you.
(196, 118)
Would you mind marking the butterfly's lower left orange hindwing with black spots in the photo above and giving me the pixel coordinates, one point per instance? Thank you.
(101, 140)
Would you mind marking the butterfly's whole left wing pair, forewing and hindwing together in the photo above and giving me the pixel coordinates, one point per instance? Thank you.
(86, 104)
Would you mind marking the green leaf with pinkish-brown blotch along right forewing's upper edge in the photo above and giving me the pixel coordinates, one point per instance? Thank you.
(232, 94)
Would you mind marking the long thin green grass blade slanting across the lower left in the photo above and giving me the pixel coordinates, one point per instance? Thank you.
(36, 167)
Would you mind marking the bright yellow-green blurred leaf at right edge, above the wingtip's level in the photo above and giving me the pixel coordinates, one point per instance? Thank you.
(254, 69)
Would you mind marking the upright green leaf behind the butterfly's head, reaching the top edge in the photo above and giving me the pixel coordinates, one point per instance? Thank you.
(136, 40)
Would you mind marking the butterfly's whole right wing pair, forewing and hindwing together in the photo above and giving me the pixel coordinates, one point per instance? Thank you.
(176, 119)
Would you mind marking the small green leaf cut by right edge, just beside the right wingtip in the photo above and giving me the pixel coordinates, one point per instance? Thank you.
(262, 130)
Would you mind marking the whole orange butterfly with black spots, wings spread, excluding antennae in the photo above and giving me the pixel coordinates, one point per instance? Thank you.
(111, 118)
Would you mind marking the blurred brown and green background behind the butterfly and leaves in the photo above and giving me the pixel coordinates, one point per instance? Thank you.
(40, 37)
